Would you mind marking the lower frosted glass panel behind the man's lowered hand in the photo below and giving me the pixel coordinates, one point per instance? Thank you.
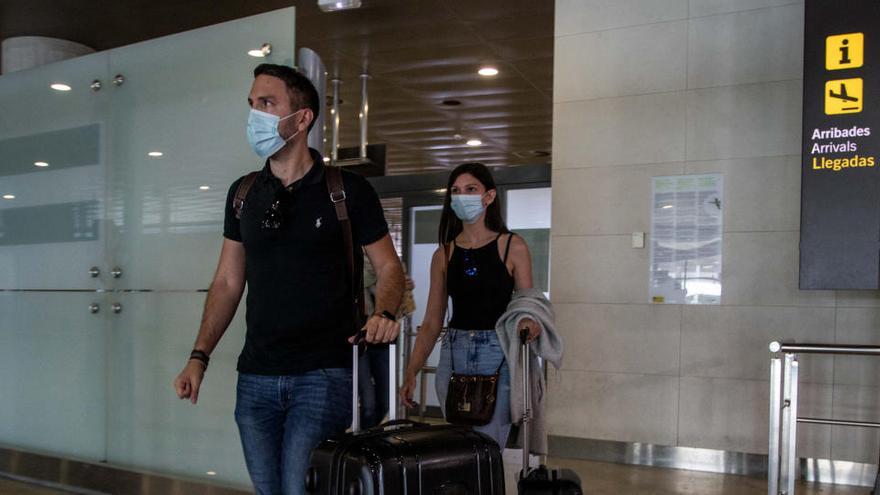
(149, 344)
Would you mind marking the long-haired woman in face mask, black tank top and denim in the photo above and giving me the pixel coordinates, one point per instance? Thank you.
(478, 264)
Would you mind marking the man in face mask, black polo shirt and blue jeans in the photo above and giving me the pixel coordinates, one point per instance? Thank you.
(285, 243)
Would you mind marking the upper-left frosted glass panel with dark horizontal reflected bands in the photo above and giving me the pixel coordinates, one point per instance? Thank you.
(51, 232)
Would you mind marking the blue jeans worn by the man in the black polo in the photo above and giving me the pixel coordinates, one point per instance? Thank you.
(282, 418)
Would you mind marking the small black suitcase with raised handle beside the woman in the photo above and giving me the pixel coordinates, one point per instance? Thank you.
(541, 480)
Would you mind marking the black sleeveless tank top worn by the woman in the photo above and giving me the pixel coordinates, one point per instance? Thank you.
(480, 286)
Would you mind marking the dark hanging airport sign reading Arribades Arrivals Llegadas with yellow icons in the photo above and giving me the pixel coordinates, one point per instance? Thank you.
(840, 178)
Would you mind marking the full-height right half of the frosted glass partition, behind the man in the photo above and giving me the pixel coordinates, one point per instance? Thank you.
(178, 142)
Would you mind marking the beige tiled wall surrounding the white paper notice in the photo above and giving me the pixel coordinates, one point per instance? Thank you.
(644, 88)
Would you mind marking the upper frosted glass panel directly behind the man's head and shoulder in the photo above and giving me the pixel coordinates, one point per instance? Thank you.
(186, 97)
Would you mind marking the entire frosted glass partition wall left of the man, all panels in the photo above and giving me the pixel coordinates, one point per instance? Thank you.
(113, 191)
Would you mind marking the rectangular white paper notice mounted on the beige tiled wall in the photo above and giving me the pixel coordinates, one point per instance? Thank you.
(686, 238)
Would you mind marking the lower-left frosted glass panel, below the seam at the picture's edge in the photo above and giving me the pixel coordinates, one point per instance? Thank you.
(53, 373)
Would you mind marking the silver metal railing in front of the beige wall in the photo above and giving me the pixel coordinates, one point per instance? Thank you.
(782, 462)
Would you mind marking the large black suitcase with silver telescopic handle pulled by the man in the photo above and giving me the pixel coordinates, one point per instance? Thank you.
(405, 458)
